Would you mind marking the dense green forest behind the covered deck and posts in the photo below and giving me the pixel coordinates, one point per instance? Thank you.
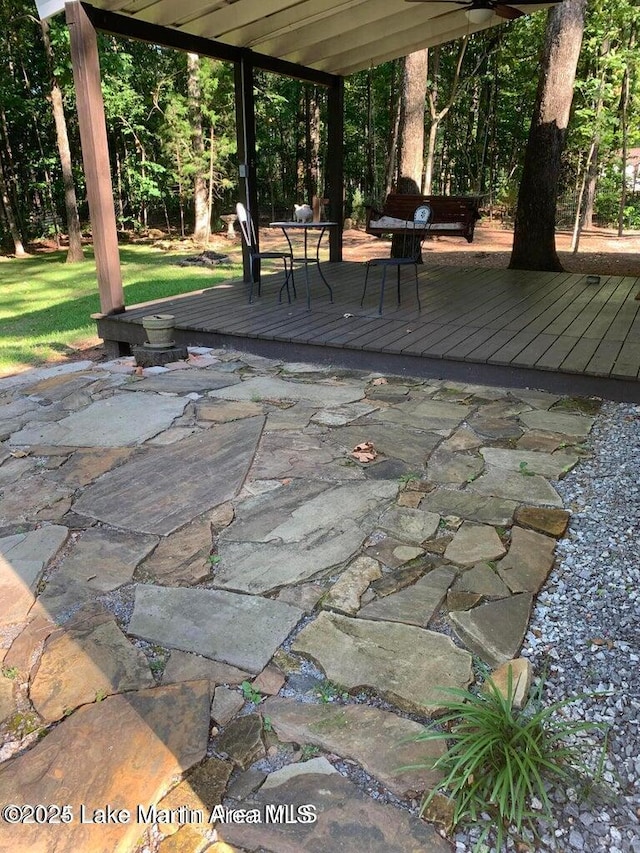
(171, 127)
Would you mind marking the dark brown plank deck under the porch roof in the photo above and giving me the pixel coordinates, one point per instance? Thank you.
(545, 330)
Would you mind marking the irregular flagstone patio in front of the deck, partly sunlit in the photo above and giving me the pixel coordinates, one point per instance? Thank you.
(166, 539)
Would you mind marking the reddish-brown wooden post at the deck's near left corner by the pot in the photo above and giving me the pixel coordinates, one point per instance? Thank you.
(95, 156)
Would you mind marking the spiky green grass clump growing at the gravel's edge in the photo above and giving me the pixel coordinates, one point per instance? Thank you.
(501, 761)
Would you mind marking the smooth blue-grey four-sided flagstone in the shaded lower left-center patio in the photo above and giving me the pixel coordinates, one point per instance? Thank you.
(241, 630)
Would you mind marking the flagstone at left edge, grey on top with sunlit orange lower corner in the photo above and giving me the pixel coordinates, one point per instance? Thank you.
(23, 558)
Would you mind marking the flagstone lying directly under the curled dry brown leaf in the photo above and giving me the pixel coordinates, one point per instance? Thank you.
(408, 445)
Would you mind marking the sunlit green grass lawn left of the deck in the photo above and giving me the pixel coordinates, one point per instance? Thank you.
(46, 304)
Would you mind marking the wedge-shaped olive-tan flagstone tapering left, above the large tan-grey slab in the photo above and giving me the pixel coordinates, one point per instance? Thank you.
(415, 605)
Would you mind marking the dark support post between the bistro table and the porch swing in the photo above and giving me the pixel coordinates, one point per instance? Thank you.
(335, 164)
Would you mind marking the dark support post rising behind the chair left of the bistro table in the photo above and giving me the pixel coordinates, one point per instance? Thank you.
(246, 140)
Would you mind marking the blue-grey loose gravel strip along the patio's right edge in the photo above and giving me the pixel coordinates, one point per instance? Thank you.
(585, 632)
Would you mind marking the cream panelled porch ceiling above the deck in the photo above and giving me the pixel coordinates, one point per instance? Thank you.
(334, 36)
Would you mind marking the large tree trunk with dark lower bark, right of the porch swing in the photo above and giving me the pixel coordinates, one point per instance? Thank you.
(534, 237)
